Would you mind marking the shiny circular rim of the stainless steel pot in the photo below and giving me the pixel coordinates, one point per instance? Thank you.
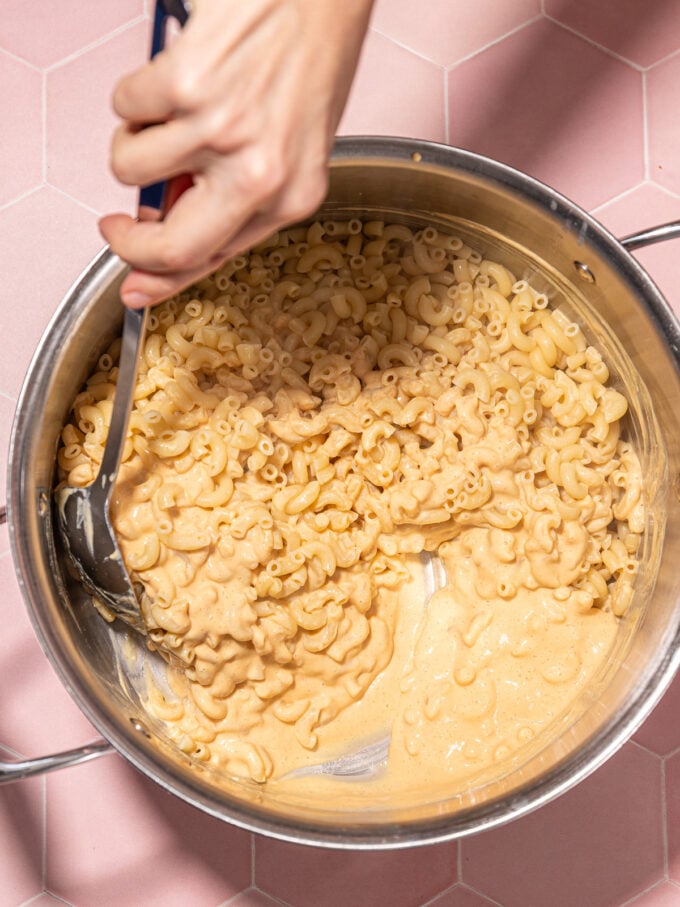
(561, 777)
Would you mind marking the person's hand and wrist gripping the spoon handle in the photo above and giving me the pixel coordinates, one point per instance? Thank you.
(246, 100)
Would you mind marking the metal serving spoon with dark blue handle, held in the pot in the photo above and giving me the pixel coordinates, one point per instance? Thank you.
(83, 513)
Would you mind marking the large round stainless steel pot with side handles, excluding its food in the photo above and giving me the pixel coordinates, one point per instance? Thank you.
(540, 235)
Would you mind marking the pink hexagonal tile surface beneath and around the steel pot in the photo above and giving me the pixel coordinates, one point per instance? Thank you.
(583, 94)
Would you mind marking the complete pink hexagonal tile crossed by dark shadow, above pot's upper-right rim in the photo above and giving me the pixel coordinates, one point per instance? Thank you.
(568, 144)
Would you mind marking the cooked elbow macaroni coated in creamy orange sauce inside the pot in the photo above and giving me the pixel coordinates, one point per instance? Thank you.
(308, 420)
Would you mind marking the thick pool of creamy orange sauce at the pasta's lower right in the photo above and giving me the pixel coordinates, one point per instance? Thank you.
(489, 674)
